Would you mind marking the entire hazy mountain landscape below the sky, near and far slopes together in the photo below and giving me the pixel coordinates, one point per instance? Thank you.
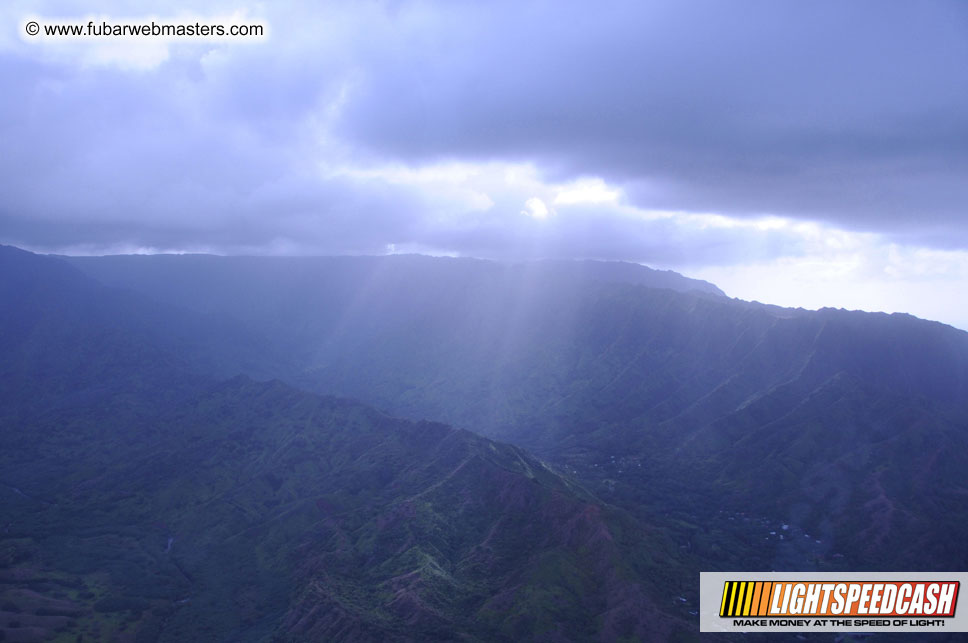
(660, 427)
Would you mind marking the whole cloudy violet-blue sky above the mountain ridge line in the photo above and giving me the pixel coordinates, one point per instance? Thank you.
(797, 153)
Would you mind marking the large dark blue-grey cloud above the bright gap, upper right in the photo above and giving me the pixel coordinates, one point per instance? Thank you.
(851, 112)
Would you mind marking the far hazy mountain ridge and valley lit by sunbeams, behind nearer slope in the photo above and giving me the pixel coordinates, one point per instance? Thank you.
(847, 426)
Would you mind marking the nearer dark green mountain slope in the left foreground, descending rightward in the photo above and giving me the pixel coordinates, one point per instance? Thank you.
(142, 501)
